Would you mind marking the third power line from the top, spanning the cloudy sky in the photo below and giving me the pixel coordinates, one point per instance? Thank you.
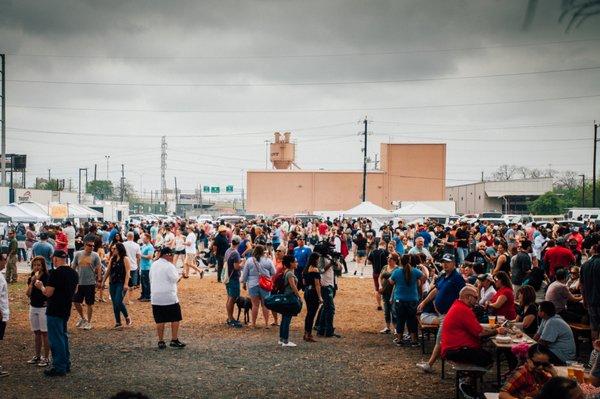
(349, 109)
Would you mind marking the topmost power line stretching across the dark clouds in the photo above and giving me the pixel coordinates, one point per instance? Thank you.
(309, 55)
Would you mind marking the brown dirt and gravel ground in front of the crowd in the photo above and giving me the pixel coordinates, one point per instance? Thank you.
(220, 361)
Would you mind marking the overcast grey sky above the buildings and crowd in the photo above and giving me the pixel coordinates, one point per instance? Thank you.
(93, 78)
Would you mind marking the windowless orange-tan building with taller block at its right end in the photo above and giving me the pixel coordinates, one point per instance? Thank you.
(409, 172)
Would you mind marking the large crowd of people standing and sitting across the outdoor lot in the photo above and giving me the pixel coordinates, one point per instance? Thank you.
(454, 276)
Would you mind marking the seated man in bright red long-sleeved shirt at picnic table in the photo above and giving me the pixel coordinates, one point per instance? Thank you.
(462, 333)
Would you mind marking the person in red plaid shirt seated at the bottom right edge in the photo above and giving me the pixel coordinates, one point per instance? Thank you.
(528, 380)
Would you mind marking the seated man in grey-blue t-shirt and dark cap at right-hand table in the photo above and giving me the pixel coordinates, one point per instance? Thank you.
(555, 334)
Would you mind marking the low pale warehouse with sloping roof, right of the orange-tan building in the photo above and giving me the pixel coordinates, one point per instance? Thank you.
(507, 196)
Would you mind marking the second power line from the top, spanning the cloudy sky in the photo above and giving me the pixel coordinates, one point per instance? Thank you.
(331, 83)
